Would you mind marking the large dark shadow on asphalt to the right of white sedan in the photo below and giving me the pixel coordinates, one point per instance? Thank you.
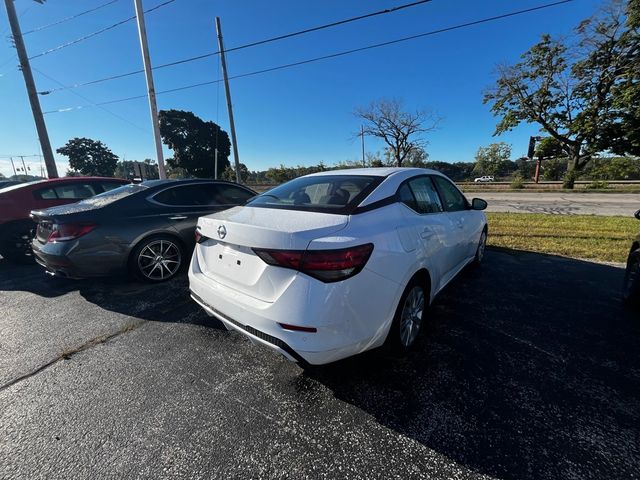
(529, 368)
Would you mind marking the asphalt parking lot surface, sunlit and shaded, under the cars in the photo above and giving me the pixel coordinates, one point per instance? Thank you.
(529, 368)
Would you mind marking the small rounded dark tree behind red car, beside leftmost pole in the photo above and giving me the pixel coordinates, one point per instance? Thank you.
(89, 157)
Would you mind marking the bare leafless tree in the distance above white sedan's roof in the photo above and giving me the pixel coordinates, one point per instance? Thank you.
(403, 131)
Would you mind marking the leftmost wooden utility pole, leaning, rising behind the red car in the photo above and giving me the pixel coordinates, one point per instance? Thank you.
(43, 136)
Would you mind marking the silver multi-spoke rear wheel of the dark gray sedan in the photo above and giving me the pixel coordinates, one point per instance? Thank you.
(157, 259)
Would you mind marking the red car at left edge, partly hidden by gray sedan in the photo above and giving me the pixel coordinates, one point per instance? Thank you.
(16, 202)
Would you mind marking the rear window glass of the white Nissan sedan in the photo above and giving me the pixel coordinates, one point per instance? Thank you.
(339, 194)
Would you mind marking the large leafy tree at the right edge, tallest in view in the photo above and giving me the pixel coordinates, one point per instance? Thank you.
(577, 92)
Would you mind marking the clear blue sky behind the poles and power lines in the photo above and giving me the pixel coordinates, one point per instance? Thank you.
(295, 116)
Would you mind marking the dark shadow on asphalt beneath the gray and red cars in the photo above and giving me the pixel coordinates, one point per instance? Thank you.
(166, 302)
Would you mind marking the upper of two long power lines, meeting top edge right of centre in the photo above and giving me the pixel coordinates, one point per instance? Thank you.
(247, 45)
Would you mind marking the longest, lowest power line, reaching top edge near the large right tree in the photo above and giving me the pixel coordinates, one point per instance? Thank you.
(334, 55)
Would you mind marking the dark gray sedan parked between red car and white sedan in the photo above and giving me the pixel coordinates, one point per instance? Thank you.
(146, 228)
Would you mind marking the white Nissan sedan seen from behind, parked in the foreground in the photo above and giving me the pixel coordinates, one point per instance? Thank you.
(335, 263)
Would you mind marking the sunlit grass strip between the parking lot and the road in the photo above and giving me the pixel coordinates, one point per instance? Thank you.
(580, 236)
